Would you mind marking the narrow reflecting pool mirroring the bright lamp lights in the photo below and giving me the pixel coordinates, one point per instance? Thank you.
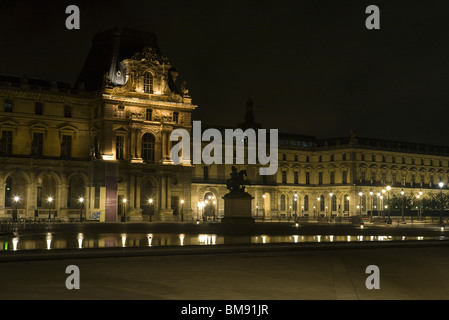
(50, 241)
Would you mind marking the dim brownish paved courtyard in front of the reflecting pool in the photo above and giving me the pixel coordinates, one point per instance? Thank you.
(407, 272)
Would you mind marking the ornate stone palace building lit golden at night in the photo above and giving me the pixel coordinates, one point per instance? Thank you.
(107, 139)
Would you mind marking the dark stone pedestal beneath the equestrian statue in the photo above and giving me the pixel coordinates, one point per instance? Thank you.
(237, 208)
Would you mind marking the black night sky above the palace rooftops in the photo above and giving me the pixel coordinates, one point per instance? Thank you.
(311, 67)
